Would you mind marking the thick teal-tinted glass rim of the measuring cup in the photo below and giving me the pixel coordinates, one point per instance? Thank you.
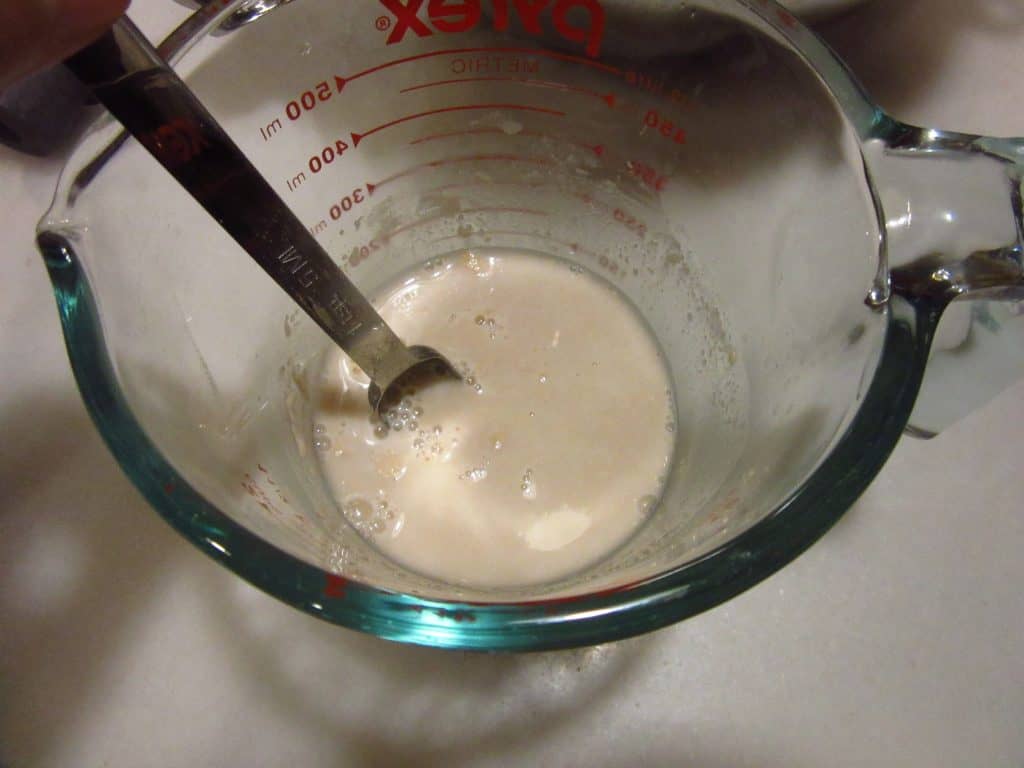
(558, 623)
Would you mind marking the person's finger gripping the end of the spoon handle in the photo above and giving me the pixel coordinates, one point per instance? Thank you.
(35, 34)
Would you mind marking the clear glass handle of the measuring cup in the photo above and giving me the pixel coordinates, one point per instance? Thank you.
(954, 241)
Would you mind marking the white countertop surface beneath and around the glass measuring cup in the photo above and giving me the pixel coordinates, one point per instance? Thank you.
(899, 639)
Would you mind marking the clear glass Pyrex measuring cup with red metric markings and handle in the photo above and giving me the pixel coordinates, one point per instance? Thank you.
(743, 194)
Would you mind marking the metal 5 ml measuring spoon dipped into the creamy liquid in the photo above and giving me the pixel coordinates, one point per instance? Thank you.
(130, 78)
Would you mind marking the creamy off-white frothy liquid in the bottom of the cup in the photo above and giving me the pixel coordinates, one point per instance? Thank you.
(545, 459)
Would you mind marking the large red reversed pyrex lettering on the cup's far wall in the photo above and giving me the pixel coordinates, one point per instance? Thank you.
(462, 16)
